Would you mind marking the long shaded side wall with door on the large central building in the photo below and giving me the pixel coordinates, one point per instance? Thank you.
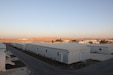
(52, 53)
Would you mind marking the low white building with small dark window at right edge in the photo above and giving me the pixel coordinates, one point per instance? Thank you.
(101, 48)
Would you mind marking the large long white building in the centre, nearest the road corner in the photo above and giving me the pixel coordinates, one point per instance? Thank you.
(63, 52)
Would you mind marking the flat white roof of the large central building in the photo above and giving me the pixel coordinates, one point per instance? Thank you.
(65, 46)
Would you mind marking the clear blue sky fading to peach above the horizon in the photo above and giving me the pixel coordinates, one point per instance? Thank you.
(56, 18)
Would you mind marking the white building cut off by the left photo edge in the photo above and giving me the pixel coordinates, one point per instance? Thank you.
(2, 56)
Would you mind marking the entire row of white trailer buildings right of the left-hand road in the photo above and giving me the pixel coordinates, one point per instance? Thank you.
(67, 53)
